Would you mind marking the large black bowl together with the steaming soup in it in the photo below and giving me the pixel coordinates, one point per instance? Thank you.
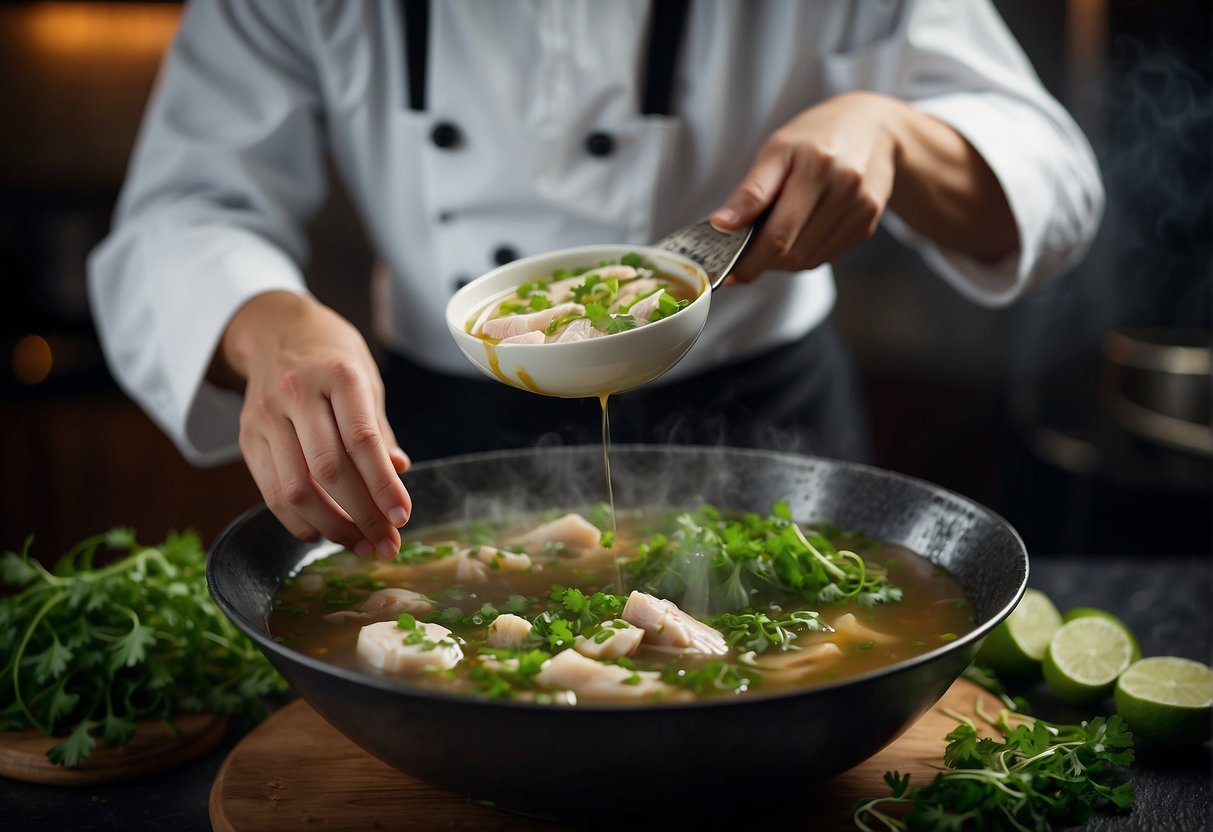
(534, 749)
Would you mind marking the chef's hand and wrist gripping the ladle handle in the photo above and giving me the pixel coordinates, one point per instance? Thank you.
(829, 175)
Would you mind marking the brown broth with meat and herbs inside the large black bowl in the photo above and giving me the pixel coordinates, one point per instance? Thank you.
(682, 606)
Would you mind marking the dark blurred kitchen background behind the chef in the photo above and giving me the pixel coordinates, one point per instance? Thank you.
(1081, 415)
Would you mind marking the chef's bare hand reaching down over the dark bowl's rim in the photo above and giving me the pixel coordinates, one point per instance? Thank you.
(314, 428)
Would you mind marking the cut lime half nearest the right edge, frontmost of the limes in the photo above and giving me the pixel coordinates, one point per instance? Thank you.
(1168, 700)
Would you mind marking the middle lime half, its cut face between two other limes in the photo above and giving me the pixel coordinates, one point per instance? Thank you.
(1085, 659)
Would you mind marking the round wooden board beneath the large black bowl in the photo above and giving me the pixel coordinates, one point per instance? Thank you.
(297, 772)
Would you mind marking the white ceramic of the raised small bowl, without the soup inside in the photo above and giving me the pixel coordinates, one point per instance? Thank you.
(580, 369)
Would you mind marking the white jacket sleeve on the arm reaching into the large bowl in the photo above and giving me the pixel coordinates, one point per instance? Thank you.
(227, 169)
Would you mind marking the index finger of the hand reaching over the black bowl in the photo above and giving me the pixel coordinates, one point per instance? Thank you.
(362, 431)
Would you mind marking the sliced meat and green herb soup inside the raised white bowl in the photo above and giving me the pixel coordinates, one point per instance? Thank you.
(583, 303)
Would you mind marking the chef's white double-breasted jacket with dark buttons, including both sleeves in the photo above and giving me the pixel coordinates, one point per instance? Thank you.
(229, 166)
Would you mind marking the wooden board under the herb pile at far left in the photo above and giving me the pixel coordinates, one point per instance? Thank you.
(153, 749)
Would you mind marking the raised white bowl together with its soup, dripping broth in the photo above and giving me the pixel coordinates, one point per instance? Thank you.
(583, 322)
